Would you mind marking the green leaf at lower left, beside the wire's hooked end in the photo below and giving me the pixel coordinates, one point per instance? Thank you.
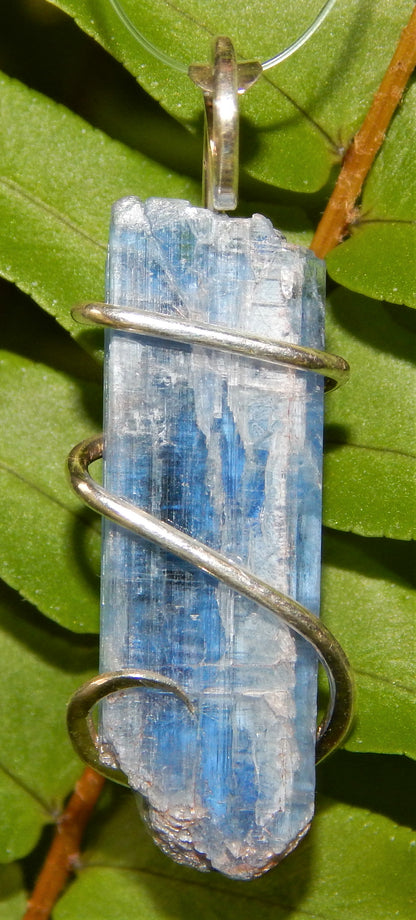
(41, 667)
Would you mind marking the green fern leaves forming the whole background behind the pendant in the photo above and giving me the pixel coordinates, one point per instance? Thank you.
(77, 132)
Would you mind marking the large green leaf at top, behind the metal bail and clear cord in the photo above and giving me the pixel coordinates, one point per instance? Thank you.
(302, 112)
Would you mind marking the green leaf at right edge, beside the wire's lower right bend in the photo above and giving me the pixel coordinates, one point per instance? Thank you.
(368, 602)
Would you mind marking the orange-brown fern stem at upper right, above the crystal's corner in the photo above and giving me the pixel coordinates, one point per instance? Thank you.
(360, 155)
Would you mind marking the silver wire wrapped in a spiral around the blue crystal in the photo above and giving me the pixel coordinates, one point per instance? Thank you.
(337, 720)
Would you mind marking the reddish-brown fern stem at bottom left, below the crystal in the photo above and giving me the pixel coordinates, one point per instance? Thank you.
(64, 851)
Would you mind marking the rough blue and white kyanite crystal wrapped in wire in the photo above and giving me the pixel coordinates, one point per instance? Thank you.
(229, 450)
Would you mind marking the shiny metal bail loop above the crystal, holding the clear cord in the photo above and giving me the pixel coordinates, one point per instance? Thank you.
(221, 83)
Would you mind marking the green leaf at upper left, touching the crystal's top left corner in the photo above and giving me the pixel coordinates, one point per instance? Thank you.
(56, 196)
